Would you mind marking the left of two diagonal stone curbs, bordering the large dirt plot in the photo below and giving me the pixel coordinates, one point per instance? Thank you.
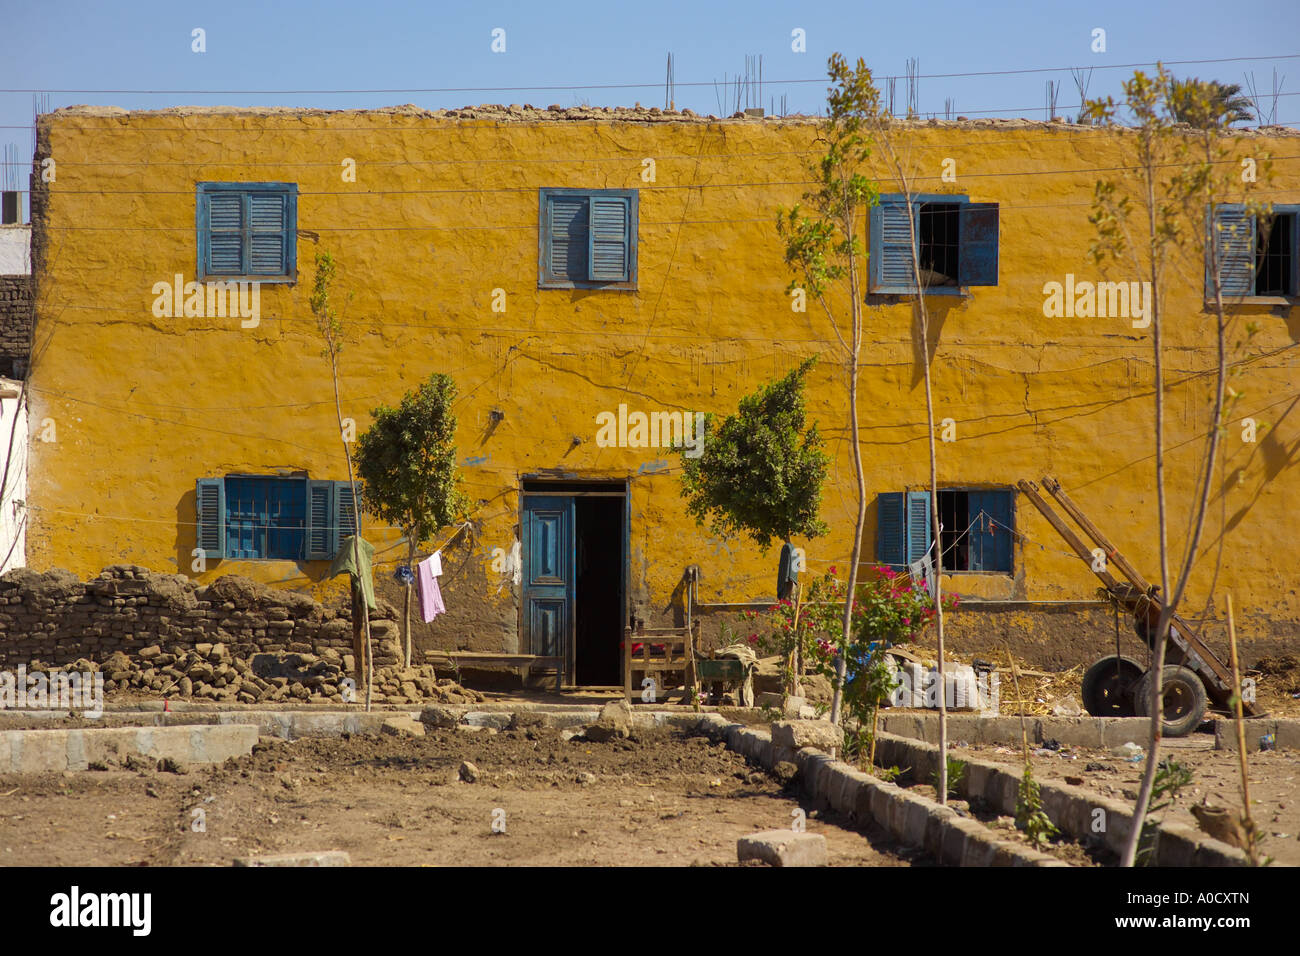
(913, 820)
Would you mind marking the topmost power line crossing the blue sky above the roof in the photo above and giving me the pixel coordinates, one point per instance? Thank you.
(653, 85)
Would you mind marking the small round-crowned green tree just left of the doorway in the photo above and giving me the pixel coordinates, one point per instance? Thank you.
(408, 461)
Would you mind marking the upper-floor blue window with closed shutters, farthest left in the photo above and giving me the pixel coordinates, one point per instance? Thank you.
(248, 231)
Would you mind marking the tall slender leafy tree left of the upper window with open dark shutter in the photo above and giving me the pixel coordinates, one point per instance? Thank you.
(825, 249)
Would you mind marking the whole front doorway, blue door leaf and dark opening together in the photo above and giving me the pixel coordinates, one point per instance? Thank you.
(575, 546)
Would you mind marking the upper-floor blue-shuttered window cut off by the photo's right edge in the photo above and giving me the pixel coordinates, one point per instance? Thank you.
(1256, 254)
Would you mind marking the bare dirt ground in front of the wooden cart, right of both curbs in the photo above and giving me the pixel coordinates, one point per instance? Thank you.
(1216, 780)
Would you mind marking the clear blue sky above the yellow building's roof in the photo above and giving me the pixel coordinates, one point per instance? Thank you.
(409, 46)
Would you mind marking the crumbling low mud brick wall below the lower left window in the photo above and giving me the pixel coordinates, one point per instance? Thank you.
(55, 618)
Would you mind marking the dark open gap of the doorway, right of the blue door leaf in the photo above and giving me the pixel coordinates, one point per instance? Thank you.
(599, 620)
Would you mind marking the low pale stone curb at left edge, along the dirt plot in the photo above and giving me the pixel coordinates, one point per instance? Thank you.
(38, 751)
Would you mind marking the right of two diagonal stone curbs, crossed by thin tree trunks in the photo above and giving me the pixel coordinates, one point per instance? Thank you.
(1073, 810)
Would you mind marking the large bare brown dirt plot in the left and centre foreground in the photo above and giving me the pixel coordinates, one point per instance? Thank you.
(661, 799)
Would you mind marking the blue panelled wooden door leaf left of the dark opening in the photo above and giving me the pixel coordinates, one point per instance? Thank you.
(549, 577)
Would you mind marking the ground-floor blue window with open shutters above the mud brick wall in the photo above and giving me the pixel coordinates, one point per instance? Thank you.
(261, 517)
